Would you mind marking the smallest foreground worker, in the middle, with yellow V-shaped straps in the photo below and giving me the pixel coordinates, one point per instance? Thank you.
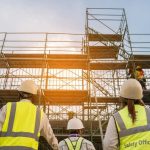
(75, 141)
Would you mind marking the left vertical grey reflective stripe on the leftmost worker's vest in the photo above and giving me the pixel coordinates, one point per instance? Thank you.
(11, 118)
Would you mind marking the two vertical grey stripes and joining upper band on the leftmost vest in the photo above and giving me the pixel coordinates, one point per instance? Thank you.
(9, 133)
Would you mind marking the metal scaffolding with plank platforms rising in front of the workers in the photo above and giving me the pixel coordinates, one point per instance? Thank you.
(76, 73)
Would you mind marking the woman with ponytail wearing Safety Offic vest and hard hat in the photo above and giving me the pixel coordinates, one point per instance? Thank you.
(129, 128)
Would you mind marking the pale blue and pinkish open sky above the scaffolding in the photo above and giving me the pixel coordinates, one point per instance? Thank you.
(66, 15)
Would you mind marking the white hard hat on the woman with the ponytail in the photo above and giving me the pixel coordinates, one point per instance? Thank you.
(131, 89)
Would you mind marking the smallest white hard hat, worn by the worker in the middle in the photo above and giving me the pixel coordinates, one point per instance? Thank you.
(74, 124)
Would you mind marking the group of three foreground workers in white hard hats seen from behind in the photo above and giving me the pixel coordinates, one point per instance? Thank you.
(21, 123)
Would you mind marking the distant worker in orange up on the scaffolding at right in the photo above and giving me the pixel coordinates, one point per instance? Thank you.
(139, 75)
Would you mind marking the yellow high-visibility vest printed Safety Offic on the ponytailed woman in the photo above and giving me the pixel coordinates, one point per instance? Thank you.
(133, 136)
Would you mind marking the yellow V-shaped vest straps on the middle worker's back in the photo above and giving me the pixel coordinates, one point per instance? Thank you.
(74, 145)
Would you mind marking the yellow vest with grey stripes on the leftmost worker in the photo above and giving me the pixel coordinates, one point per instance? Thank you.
(20, 130)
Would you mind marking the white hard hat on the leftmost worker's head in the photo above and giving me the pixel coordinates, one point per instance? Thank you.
(28, 86)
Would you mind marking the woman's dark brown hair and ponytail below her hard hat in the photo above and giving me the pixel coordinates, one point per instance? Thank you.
(131, 106)
